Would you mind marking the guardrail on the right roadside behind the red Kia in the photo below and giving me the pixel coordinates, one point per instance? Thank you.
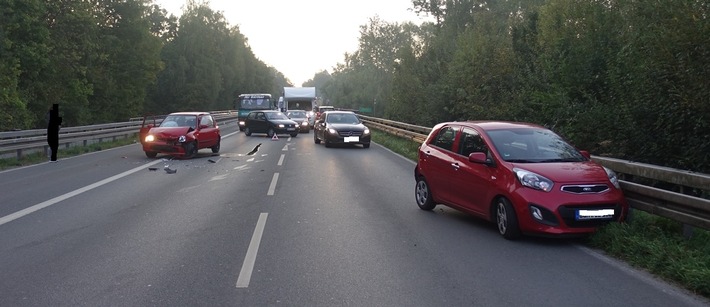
(673, 202)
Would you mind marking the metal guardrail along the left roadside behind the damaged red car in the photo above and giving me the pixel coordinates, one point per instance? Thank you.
(19, 143)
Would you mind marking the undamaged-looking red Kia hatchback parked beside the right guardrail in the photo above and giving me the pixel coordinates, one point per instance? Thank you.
(521, 176)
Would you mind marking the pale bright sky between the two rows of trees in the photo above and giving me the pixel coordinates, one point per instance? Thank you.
(301, 38)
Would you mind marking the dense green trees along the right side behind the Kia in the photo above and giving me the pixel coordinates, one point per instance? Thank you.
(623, 78)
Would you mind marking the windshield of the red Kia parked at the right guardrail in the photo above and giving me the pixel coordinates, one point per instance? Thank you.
(531, 145)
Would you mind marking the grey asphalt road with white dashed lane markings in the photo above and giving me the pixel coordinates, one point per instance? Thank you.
(293, 224)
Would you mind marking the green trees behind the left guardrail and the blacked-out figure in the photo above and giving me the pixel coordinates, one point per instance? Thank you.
(110, 60)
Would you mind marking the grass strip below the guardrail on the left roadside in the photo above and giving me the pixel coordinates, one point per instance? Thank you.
(40, 157)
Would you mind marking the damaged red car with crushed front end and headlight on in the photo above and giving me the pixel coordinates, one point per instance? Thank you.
(180, 134)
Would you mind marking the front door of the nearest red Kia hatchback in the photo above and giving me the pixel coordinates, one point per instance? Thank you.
(470, 182)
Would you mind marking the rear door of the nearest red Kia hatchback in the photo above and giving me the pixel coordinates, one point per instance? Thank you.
(439, 160)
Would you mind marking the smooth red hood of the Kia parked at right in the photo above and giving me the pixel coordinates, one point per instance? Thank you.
(587, 171)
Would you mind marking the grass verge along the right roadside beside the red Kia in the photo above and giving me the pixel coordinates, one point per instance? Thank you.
(646, 241)
